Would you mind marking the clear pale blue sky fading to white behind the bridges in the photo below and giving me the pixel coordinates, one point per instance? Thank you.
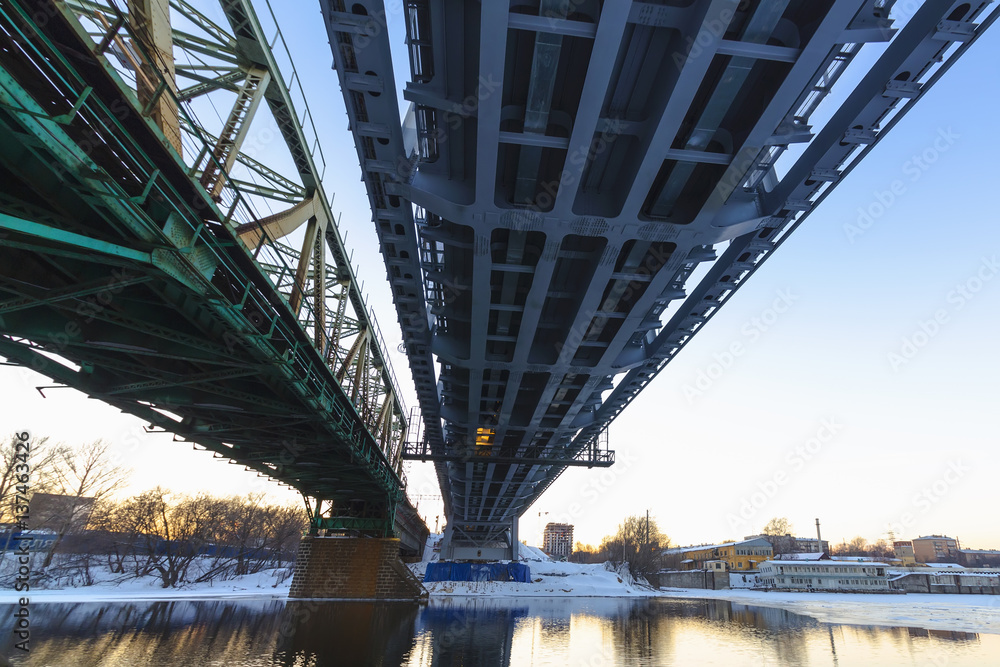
(854, 379)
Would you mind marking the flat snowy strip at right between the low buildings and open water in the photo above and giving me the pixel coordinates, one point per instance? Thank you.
(962, 613)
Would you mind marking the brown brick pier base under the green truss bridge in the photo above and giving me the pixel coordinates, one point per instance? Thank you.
(353, 568)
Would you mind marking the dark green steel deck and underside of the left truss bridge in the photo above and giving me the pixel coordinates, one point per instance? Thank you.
(121, 277)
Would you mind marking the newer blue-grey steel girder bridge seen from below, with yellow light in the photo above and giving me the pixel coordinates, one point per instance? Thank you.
(564, 170)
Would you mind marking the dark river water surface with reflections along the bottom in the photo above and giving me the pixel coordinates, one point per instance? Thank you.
(469, 632)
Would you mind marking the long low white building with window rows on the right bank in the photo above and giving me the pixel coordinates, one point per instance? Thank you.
(824, 575)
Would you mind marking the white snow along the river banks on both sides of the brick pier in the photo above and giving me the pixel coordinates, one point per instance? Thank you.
(558, 579)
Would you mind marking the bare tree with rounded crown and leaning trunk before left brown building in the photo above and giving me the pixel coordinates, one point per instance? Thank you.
(86, 475)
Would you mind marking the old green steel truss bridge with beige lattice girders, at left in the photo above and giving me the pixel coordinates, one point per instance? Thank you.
(150, 260)
